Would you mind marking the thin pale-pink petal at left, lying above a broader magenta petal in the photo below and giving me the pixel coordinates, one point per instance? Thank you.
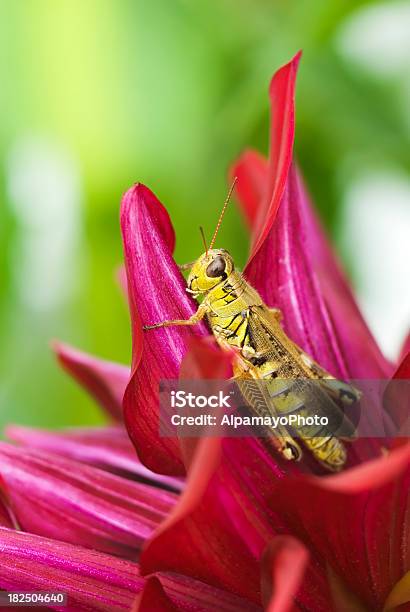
(105, 447)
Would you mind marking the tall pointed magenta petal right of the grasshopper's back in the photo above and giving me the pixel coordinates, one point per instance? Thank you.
(296, 271)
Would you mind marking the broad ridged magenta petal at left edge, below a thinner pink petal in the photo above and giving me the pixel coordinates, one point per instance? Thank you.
(63, 499)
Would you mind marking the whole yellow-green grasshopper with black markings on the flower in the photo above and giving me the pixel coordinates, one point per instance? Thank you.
(240, 320)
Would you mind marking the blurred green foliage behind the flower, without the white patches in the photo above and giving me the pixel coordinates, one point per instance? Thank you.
(167, 93)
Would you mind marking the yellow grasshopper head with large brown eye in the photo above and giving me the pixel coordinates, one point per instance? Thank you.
(212, 268)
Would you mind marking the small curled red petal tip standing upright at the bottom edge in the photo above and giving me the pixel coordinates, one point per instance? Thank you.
(283, 567)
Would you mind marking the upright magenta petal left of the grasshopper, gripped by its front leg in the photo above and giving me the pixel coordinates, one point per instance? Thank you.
(156, 292)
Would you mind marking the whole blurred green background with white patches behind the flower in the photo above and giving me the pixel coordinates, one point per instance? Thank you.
(99, 94)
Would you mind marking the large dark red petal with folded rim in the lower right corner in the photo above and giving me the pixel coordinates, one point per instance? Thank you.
(357, 521)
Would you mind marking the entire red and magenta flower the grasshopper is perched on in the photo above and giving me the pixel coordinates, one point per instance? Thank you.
(248, 529)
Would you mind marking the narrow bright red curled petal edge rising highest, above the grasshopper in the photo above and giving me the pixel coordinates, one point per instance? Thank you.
(282, 98)
